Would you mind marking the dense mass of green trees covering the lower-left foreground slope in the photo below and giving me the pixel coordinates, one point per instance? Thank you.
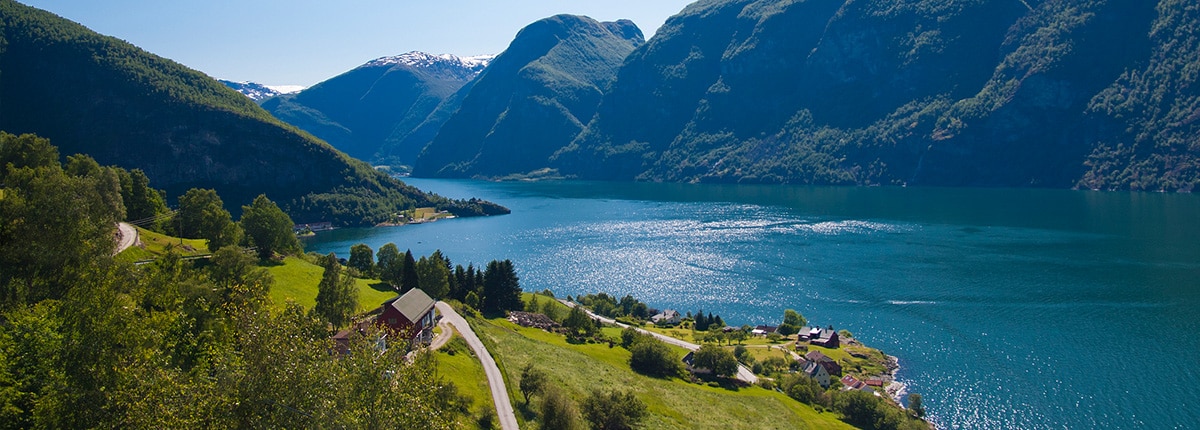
(88, 342)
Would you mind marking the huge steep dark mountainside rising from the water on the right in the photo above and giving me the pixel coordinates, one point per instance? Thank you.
(1064, 94)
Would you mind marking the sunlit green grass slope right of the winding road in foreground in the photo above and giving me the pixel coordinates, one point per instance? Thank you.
(674, 404)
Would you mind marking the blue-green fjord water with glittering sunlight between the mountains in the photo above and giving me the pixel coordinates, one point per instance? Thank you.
(1009, 309)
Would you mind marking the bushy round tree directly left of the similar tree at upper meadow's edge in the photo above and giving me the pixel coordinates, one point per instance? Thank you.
(202, 216)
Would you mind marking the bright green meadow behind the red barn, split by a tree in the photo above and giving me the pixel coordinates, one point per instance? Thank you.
(298, 279)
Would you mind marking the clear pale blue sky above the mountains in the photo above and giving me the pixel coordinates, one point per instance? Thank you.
(302, 43)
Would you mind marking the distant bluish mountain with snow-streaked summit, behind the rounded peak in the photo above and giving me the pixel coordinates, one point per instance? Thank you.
(375, 112)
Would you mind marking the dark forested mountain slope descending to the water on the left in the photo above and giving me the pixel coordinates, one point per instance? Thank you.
(105, 98)
